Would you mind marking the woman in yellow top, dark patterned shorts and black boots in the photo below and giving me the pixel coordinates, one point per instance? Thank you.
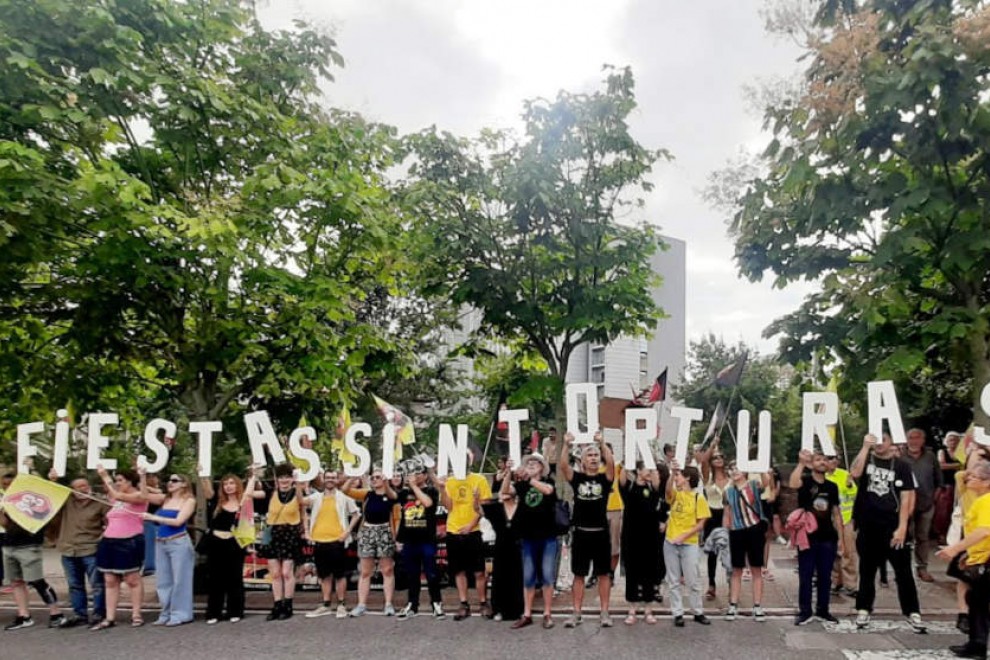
(287, 524)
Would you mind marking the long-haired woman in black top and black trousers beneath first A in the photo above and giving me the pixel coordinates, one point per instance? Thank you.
(224, 554)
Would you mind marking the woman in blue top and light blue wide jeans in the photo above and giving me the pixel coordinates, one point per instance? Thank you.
(174, 554)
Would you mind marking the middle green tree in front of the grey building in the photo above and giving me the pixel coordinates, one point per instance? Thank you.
(526, 230)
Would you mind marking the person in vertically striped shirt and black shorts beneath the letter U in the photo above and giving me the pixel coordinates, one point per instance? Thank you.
(745, 518)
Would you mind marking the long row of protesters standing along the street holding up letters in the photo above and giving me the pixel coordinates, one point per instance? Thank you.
(893, 506)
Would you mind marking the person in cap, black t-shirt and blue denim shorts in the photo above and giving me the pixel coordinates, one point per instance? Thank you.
(534, 525)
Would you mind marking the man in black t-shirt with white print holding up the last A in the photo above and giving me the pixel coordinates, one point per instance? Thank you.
(881, 513)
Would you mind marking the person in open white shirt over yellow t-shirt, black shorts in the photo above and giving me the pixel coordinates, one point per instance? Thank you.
(333, 517)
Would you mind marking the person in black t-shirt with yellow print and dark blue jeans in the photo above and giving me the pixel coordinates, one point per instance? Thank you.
(418, 536)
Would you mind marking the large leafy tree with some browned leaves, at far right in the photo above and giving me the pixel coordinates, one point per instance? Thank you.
(876, 184)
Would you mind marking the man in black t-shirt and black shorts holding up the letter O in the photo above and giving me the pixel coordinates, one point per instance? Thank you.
(591, 546)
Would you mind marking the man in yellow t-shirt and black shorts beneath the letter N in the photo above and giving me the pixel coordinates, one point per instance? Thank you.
(465, 551)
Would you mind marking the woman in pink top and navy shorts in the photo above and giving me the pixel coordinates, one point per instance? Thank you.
(120, 554)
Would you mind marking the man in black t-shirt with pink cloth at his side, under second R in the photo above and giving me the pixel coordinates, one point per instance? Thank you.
(820, 497)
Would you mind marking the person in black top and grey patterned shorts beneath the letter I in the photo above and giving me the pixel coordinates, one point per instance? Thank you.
(376, 539)
